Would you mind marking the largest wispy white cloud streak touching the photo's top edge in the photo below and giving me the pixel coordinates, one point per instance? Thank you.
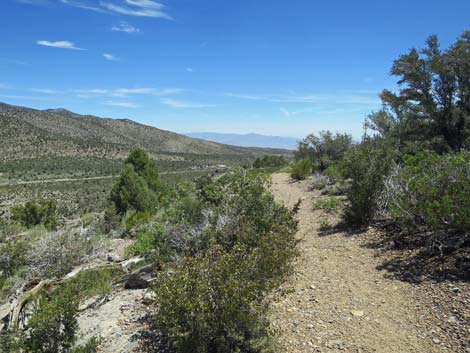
(140, 8)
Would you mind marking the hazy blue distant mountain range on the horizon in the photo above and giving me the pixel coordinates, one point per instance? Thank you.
(247, 140)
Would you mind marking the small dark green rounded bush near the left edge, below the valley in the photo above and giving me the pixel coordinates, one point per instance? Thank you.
(31, 214)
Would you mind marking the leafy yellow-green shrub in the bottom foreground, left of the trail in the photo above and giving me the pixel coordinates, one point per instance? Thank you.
(214, 302)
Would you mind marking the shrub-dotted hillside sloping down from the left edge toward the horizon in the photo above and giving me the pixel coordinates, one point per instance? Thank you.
(30, 133)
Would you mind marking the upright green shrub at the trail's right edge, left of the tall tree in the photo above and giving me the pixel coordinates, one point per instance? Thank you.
(366, 165)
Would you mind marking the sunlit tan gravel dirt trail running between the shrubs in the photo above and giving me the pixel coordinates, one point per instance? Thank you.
(338, 301)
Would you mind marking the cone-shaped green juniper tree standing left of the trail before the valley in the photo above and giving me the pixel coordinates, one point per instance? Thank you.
(137, 187)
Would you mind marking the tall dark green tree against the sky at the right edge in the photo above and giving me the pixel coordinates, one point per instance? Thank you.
(432, 108)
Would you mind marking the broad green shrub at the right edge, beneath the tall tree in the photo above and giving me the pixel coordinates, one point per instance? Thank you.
(434, 191)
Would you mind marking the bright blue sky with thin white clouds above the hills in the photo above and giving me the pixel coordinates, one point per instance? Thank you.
(267, 66)
